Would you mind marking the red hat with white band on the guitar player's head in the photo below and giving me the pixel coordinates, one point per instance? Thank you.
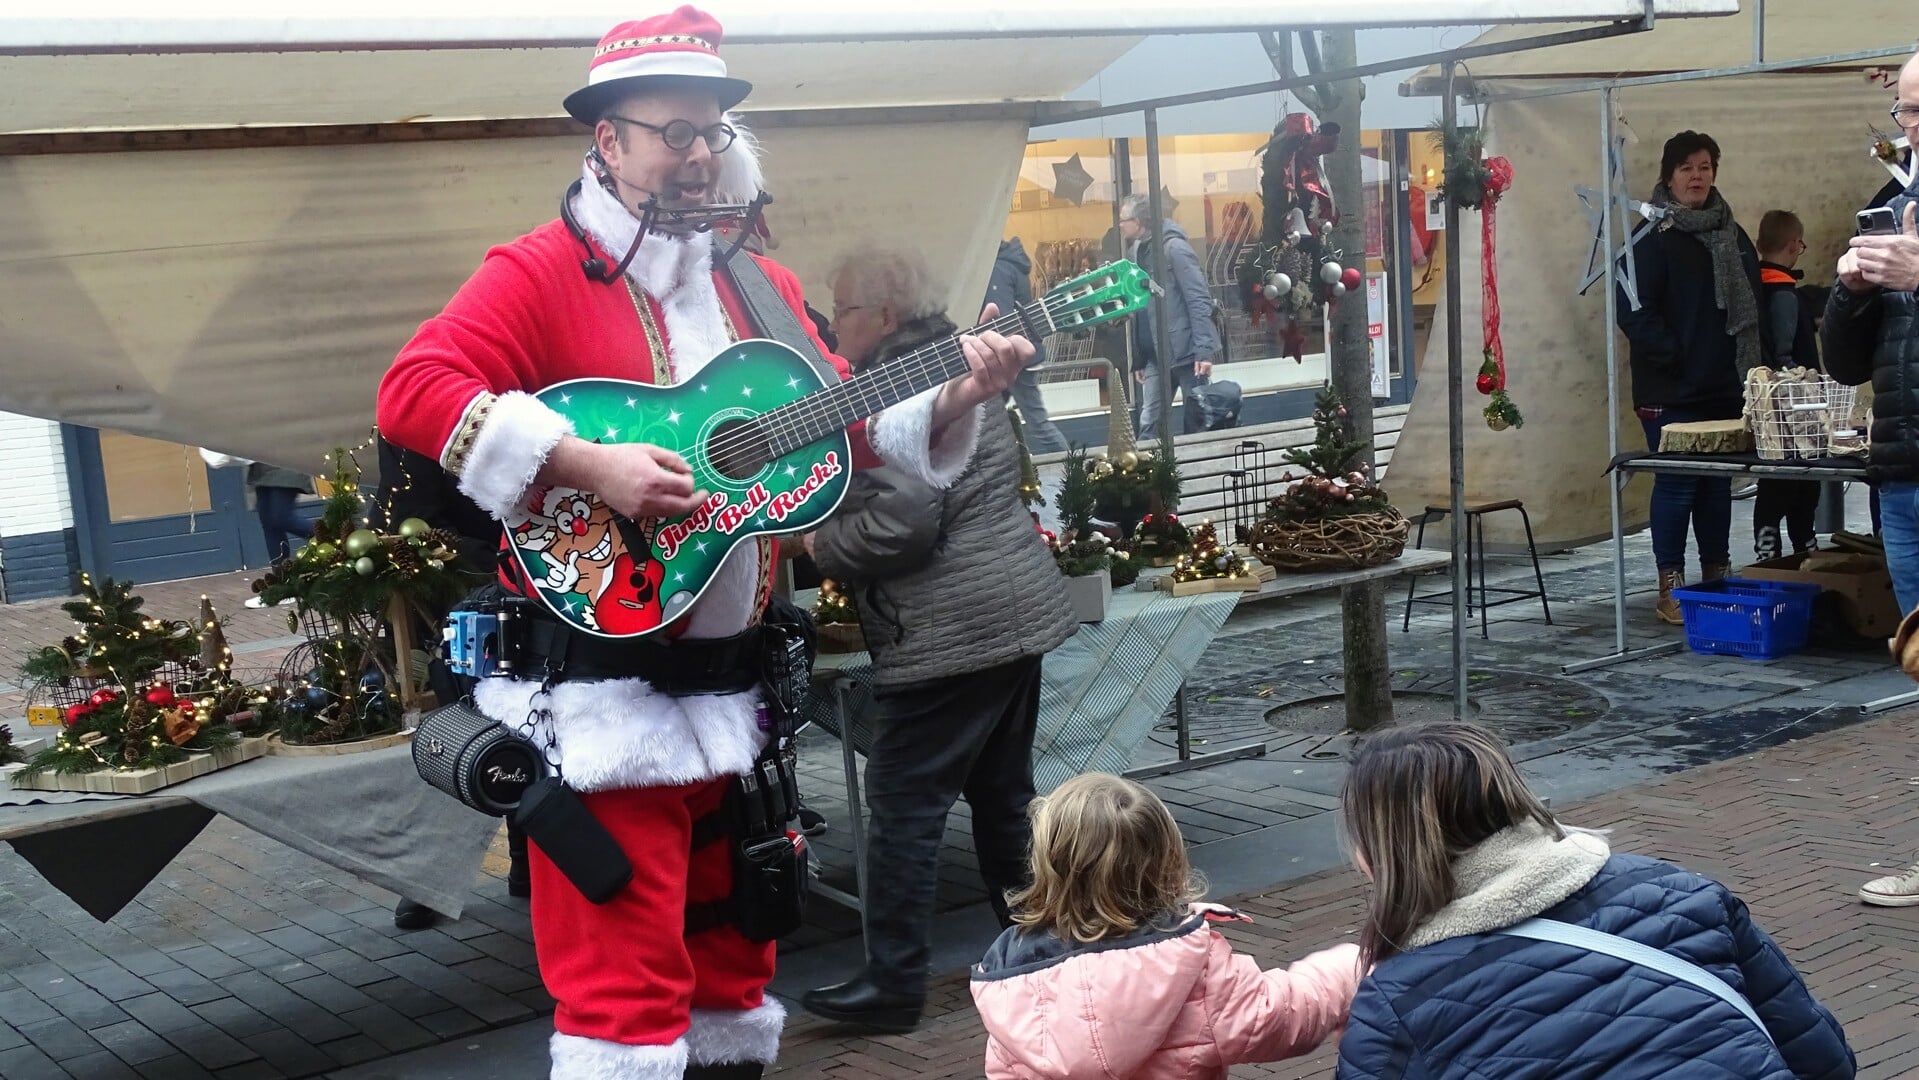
(675, 49)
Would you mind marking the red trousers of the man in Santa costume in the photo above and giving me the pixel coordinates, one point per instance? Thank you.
(625, 972)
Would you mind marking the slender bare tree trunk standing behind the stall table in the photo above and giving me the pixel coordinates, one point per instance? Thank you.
(1369, 684)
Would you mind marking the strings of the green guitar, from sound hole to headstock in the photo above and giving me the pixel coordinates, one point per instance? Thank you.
(851, 398)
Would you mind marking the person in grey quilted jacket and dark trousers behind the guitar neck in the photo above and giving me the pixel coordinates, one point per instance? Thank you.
(959, 603)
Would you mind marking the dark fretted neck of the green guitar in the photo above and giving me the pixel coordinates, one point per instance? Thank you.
(841, 406)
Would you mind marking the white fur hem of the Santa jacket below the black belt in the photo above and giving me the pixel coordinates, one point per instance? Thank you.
(619, 734)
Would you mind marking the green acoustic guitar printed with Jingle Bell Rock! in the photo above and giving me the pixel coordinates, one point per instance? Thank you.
(765, 431)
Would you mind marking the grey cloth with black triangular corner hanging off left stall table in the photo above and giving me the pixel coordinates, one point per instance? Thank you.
(367, 814)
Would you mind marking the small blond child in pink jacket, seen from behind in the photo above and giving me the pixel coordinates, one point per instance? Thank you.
(1112, 974)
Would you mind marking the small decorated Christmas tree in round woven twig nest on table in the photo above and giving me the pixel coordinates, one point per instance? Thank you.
(1335, 517)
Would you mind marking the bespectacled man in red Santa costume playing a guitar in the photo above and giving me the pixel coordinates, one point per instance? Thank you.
(644, 995)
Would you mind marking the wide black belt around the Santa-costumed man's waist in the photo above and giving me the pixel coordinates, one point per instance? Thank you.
(682, 670)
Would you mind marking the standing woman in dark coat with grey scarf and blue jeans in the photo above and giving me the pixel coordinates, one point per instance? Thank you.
(1694, 339)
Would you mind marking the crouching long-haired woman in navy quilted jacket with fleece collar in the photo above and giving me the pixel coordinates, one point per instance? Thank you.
(1459, 853)
